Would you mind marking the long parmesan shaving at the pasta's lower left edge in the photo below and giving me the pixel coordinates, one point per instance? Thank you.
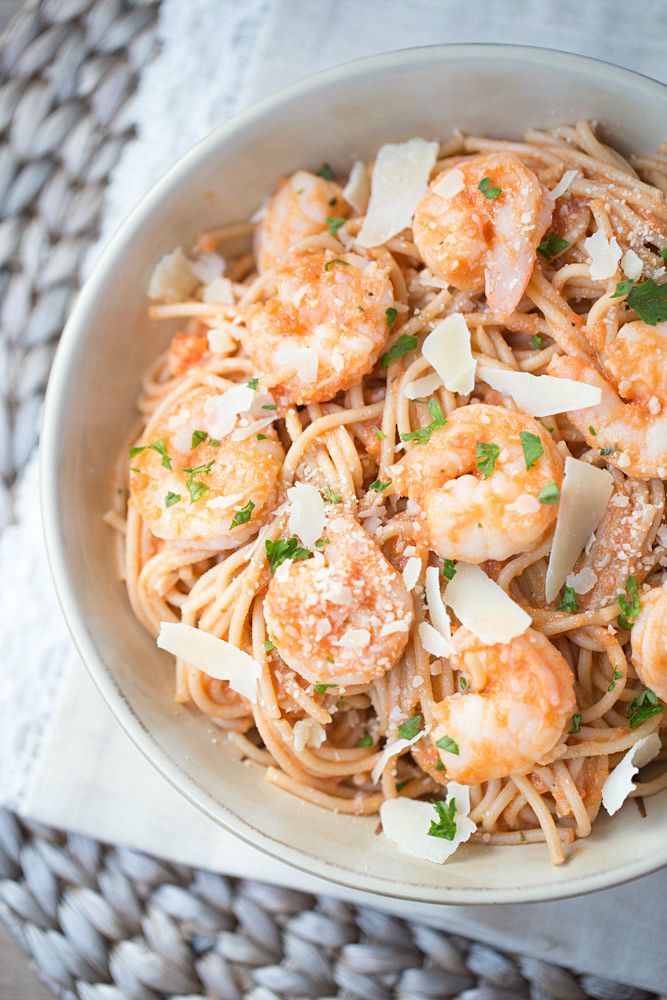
(215, 657)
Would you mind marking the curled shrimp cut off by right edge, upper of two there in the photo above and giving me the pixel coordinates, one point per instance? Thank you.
(629, 425)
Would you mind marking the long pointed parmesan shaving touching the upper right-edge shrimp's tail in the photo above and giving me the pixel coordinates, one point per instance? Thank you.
(541, 395)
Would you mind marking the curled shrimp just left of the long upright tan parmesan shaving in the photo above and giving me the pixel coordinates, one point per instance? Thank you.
(476, 508)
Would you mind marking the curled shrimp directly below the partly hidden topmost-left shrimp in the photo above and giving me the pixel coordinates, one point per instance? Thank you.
(335, 308)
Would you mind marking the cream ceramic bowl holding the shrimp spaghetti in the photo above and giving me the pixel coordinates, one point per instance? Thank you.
(337, 116)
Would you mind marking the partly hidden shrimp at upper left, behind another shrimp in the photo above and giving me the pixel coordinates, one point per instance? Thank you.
(299, 208)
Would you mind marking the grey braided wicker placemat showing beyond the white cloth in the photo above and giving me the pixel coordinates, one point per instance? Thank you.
(108, 923)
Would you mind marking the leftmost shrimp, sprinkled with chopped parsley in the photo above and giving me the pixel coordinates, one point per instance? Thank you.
(199, 463)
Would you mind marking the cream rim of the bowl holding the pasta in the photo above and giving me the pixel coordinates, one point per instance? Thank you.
(56, 405)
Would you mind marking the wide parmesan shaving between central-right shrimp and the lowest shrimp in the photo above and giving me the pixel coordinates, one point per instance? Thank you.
(484, 607)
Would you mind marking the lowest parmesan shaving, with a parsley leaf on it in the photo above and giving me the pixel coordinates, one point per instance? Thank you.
(406, 822)
